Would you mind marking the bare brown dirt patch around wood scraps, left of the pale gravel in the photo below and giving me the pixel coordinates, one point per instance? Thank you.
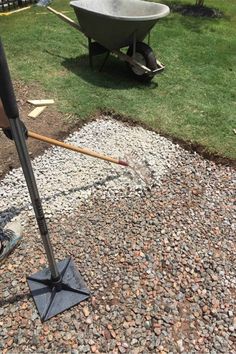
(50, 123)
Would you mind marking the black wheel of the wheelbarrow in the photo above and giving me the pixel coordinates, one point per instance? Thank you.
(145, 56)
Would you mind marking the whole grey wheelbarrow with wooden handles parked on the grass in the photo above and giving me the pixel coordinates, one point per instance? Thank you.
(111, 25)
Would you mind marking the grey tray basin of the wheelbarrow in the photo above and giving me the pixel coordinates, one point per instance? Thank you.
(115, 23)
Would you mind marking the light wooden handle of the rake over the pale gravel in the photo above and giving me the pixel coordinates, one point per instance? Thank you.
(84, 151)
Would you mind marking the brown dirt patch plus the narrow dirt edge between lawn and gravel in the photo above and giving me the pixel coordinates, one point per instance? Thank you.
(53, 124)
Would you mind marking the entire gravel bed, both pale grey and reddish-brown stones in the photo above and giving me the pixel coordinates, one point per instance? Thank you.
(159, 259)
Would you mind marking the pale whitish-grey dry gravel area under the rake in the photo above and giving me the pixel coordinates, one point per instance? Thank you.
(65, 178)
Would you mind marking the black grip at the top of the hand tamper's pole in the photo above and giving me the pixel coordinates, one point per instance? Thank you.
(7, 94)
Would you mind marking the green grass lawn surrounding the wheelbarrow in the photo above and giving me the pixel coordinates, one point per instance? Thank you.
(195, 96)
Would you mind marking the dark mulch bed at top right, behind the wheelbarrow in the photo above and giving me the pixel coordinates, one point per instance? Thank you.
(196, 11)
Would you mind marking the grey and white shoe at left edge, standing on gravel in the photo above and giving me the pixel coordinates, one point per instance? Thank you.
(10, 238)
